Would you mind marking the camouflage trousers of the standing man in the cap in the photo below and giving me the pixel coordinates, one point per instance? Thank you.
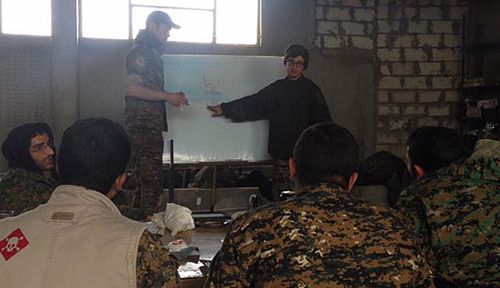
(146, 162)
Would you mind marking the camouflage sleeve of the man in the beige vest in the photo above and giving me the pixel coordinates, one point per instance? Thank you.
(155, 266)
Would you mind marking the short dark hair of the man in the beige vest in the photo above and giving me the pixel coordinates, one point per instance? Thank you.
(93, 153)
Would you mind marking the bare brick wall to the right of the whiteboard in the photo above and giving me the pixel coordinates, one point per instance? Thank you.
(416, 46)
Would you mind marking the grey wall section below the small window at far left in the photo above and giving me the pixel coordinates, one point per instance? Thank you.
(25, 83)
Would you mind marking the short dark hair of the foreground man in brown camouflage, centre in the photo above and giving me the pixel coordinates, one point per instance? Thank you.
(324, 152)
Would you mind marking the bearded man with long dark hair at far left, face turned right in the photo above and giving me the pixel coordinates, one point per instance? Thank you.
(30, 179)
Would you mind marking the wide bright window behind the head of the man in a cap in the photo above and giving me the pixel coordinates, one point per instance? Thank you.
(201, 21)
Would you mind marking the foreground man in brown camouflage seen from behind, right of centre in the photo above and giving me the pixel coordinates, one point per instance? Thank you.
(322, 237)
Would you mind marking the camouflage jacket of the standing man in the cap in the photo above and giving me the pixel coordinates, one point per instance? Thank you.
(145, 67)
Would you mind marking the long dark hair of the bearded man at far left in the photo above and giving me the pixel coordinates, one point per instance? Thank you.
(16, 146)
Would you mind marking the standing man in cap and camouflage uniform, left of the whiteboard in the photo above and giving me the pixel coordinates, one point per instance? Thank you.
(144, 113)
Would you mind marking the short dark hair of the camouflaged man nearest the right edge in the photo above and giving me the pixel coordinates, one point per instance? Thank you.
(432, 147)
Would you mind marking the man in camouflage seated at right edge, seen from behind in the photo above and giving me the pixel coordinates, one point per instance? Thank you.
(455, 208)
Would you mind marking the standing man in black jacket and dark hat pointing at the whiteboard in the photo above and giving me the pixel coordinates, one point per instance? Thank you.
(291, 105)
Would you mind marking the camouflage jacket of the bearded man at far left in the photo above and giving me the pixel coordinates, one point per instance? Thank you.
(22, 190)
